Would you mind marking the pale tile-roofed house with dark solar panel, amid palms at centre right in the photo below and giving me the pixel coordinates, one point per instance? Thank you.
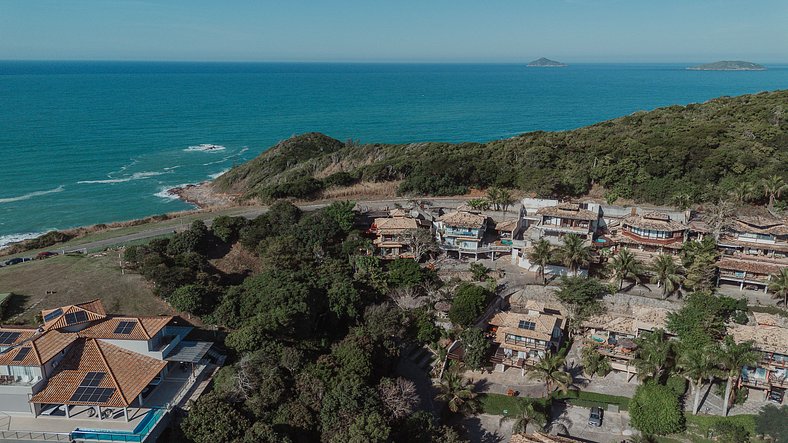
(523, 336)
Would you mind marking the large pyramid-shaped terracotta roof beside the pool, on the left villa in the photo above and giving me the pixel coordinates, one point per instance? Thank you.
(125, 371)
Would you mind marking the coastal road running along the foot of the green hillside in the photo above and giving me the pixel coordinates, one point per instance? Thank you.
(250, 213)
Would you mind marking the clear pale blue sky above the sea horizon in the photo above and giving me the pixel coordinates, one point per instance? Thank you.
(396, 30)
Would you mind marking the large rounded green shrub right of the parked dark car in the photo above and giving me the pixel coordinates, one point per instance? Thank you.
(655, 410)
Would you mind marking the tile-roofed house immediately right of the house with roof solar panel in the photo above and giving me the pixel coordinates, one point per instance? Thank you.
(613, 334)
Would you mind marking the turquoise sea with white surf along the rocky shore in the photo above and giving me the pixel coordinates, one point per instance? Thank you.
(85, 143)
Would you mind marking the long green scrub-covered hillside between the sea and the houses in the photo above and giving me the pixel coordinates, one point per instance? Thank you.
(702, 150)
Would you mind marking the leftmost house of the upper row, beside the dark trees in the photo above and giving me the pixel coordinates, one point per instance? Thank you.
(392, 232)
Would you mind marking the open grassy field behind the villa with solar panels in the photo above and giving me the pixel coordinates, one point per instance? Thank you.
(73, 279)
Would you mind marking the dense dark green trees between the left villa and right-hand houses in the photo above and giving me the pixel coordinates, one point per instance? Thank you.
(313, 338)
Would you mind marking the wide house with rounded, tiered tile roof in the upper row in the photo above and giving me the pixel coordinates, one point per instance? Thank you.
(651, 234)
